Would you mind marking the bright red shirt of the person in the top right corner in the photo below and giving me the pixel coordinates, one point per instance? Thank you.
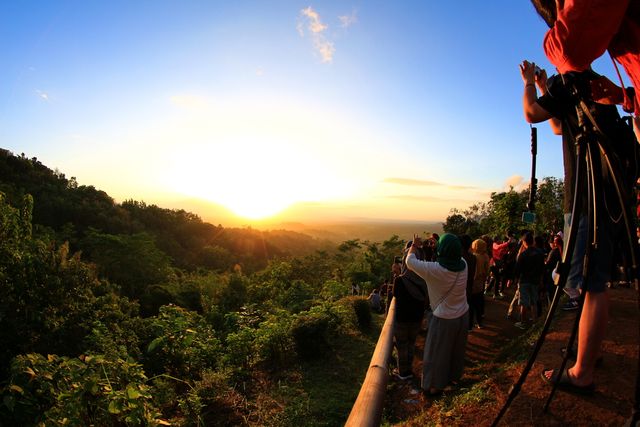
(585, 29)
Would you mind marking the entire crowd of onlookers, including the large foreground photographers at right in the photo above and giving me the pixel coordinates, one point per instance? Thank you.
(454, 281)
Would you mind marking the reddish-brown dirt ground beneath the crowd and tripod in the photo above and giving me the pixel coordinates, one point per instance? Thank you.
(615, 379)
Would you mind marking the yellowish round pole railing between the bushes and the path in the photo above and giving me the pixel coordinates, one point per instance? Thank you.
(367, 411)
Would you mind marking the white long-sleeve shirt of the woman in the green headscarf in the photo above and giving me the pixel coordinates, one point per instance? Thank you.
(447, 289)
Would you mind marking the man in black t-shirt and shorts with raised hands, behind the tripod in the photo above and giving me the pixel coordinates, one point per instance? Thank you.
(558, 105)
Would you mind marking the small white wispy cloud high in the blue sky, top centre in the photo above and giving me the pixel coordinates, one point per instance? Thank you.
(310, 22)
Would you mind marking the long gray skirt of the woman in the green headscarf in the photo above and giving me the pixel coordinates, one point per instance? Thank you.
(444, 351)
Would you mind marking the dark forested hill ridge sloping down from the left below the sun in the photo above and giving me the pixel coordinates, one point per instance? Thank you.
(84, 216)
